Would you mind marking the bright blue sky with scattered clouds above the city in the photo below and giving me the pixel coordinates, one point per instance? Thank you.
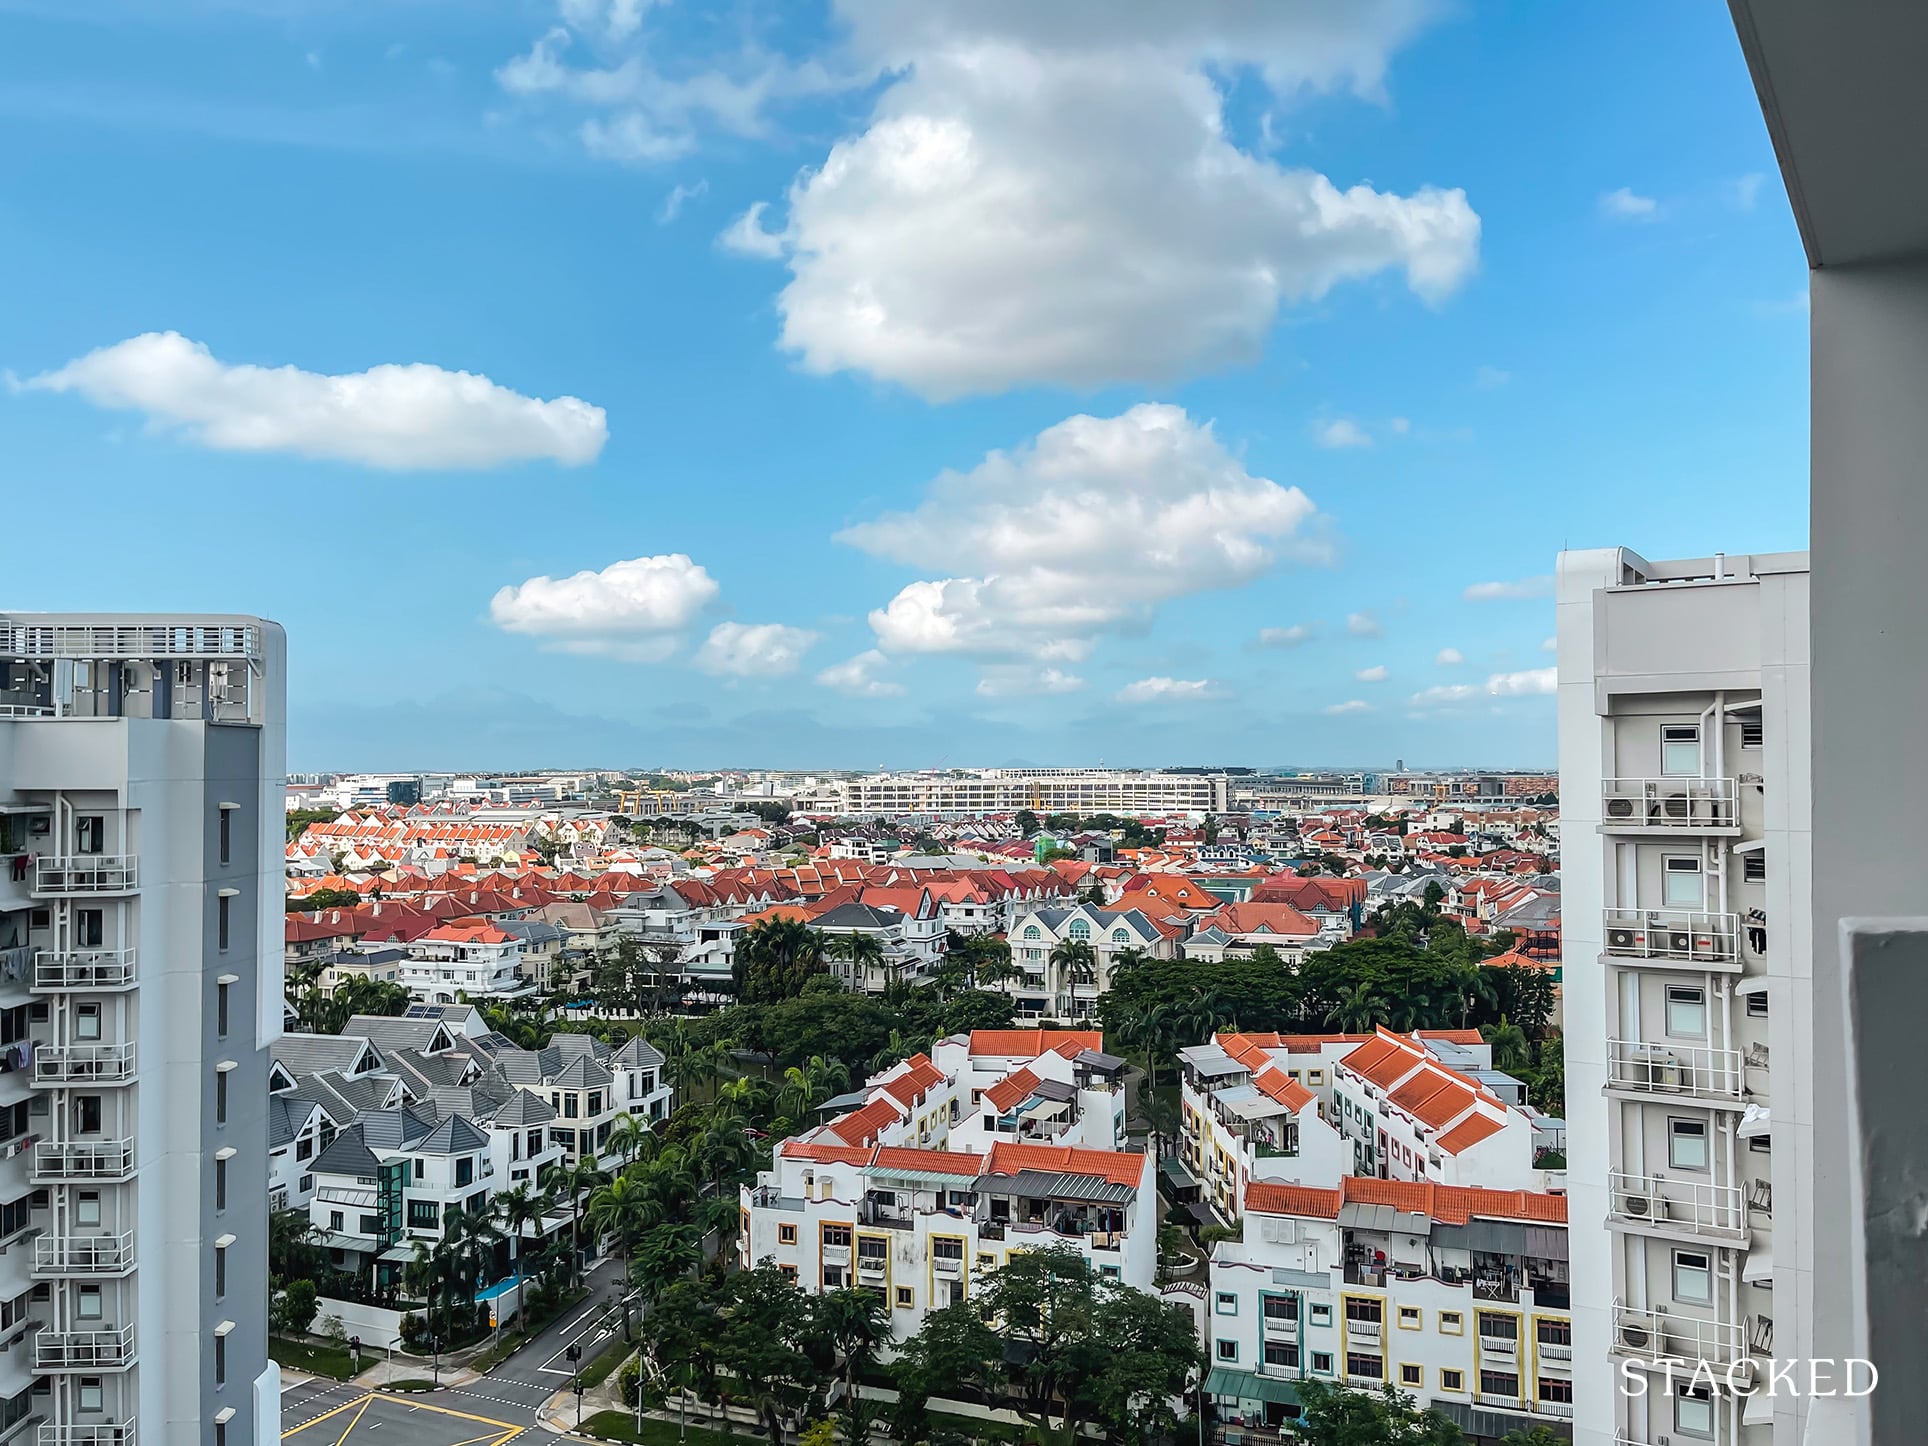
(948, 385)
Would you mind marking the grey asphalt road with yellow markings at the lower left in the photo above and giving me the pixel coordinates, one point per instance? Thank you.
(489, 1412)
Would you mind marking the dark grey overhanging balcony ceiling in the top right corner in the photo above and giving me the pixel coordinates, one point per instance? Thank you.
(1842, 90)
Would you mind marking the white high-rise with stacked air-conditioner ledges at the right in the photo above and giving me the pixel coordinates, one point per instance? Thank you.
(1686, 815)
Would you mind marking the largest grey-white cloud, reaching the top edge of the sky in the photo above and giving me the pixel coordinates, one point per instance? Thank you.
(1052, 196)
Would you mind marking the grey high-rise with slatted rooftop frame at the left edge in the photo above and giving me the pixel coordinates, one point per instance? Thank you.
(140, 990)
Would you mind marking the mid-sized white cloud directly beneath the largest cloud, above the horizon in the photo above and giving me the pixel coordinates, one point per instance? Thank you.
(1081, 533)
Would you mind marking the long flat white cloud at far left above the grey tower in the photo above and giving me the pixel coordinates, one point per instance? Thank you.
(412, 417)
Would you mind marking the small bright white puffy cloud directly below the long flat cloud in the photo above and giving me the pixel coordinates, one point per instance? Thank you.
(633, 610)
